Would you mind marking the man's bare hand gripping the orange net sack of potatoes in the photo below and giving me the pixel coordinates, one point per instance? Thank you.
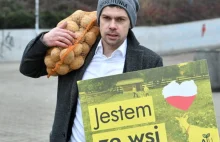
(59, 36)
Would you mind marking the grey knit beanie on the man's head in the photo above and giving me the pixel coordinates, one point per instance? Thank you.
(130, 6)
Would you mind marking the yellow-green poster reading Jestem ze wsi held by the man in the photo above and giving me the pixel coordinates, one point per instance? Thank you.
(168, 104)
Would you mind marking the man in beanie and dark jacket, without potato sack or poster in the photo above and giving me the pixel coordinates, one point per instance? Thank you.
(115, 51)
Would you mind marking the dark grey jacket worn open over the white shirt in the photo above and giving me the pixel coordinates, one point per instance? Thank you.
(32, 65)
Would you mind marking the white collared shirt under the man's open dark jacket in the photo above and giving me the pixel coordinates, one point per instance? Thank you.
(100, 66)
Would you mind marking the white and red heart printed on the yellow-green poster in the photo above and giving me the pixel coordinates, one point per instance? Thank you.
(181, 95)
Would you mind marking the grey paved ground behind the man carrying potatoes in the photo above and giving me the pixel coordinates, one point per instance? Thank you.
(27, 105)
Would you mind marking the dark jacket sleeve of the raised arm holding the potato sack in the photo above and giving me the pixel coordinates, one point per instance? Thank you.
(32, 62)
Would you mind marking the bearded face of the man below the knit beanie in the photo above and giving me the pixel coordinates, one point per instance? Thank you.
(114, 26)
